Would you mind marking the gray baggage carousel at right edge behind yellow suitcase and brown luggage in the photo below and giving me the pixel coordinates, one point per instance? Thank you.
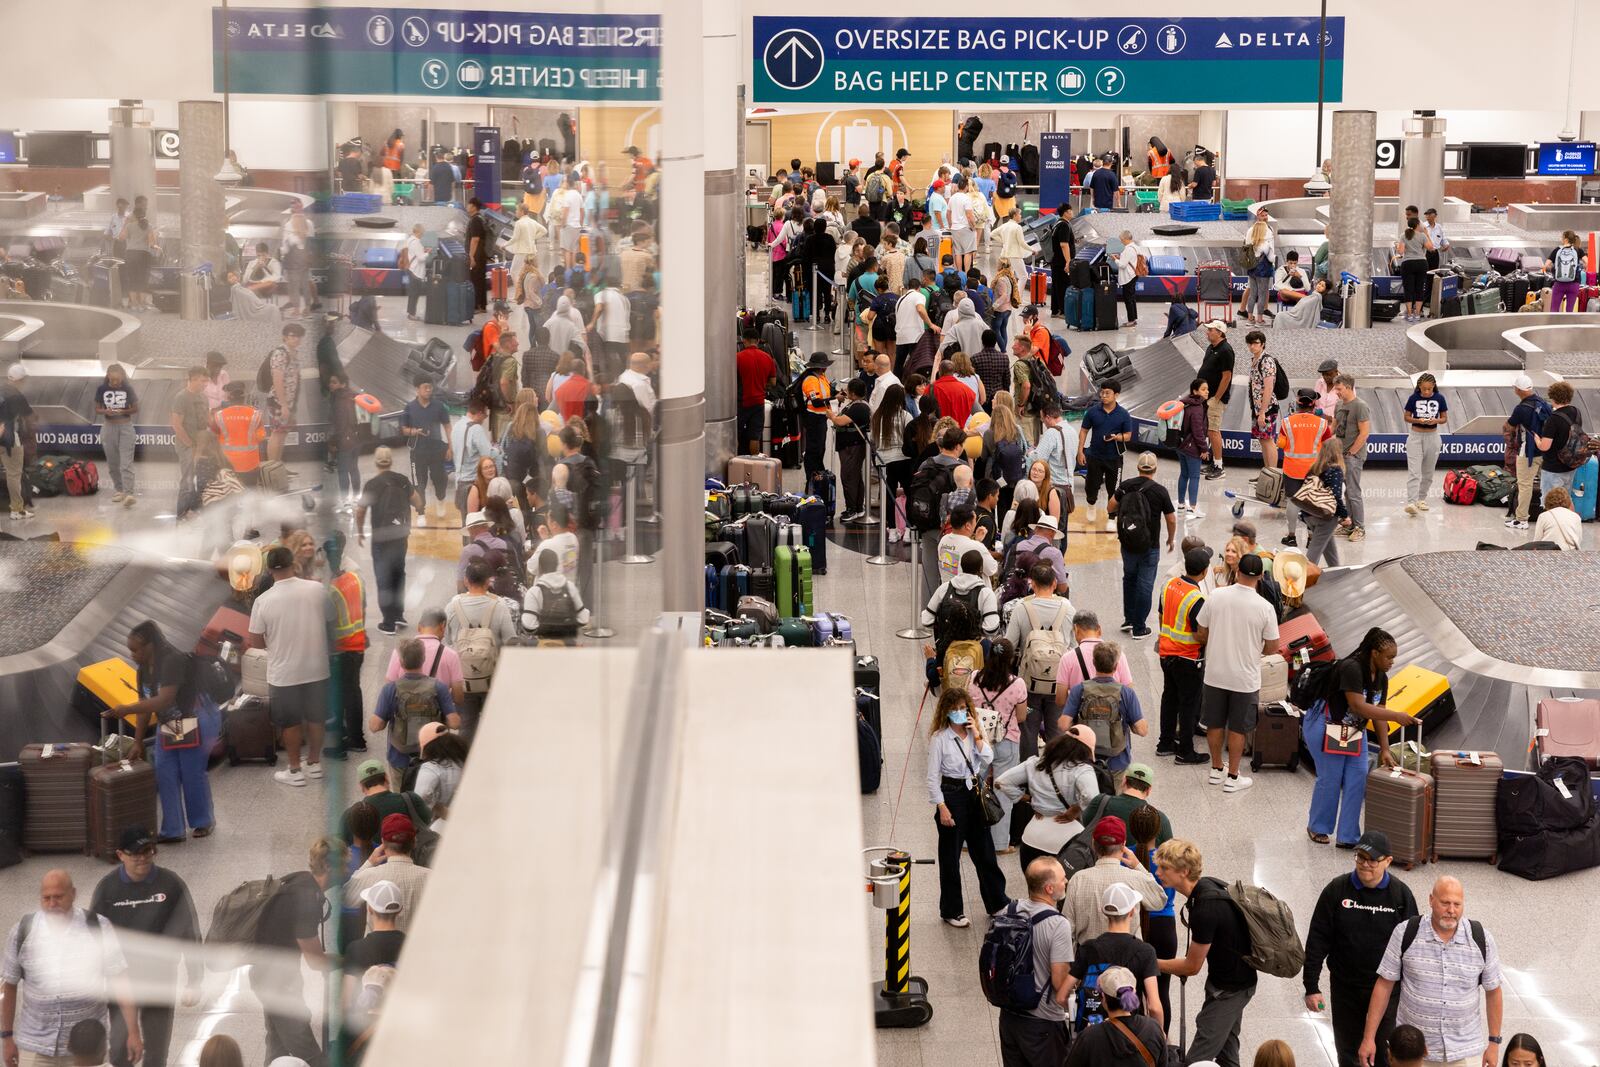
(1484, 621)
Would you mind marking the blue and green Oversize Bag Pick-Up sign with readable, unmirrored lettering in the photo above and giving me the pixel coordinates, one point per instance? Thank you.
(884, 62)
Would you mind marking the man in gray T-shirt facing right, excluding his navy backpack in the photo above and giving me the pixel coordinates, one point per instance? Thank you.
(1041, 1036)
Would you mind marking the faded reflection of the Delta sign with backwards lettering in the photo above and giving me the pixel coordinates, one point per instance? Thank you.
(426, 52)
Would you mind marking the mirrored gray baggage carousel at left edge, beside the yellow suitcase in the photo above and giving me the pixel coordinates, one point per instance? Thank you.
(74, 605)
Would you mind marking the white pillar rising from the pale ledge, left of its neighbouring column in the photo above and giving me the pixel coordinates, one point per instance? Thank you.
(682, 409)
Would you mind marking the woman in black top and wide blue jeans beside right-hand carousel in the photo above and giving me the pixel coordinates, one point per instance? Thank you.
(1348, 698)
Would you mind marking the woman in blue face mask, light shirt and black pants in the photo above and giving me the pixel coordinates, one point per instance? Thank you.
(959, 757)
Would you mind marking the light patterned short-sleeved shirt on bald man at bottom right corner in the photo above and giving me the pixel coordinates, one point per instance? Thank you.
(1439, 993)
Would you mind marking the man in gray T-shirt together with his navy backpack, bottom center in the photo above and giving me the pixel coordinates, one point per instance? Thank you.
(1025, 969)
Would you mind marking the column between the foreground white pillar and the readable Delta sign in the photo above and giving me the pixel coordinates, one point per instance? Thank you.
(724, 236)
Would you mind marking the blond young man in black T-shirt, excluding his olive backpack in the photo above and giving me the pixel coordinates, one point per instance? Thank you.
(1220, 941)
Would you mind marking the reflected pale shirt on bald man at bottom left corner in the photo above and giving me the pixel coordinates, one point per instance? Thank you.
(62, 970)
